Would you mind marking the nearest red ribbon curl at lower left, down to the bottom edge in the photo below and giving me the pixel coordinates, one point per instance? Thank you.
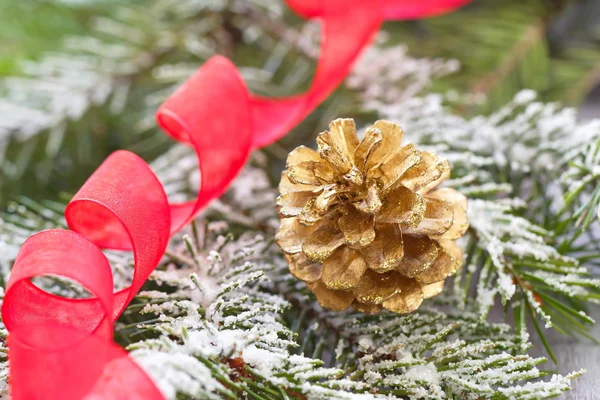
(48, 333)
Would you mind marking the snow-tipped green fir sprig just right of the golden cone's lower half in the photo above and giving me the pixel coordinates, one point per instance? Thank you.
(512, 253)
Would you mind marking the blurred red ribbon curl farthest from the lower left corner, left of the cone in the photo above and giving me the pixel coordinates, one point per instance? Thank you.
(216, 123)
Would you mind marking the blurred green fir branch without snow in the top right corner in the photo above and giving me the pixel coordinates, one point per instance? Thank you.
(511, 47)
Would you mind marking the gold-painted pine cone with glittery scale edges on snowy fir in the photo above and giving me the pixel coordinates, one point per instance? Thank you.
(361, 222)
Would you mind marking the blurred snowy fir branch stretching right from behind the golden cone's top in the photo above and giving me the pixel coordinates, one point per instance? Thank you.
(522, 135)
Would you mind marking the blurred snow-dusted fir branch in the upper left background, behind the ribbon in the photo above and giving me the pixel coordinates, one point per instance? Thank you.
(89, 70)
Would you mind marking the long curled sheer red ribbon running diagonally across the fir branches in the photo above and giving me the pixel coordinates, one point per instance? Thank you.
(62, 348)
